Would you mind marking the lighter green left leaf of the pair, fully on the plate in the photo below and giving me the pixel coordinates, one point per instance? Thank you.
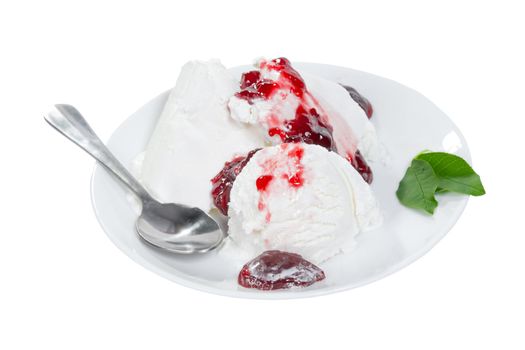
(416, 189)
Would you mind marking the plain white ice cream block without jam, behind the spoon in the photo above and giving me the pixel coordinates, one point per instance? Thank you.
(195, 136)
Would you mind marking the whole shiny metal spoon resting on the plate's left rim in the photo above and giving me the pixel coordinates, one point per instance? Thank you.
(174, 227)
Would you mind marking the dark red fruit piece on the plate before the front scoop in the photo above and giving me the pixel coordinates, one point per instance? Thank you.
(275, 269)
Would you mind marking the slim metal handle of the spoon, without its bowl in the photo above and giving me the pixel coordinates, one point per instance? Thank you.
(70, 123)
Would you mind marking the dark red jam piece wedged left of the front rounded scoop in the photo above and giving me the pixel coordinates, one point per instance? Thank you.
(222, 182)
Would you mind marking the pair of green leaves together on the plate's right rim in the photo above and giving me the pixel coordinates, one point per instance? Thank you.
(436, 172)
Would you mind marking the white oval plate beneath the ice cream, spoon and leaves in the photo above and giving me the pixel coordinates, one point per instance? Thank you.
(406, 122)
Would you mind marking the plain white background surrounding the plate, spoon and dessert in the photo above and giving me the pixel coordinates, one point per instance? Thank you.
(63, 285)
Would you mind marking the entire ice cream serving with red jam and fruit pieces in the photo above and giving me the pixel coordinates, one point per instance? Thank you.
(283, 155)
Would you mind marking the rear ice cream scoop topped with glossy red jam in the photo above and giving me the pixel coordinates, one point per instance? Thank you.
(291, 107)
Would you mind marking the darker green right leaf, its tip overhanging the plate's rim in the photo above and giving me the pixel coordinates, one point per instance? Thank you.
(454, 173)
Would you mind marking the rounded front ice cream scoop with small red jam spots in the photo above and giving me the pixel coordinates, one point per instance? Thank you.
(299, 198)
